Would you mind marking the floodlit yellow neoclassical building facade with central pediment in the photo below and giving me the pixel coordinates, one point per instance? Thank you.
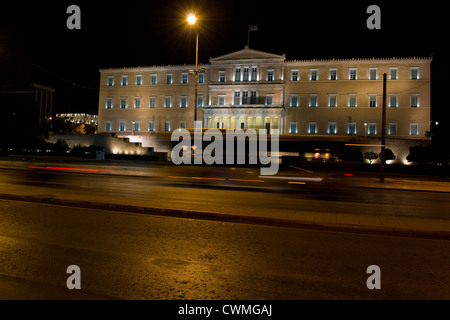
(254, 89)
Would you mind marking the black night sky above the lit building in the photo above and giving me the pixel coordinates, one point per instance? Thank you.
(142, 33)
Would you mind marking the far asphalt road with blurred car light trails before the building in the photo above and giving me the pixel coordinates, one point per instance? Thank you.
(206, 189)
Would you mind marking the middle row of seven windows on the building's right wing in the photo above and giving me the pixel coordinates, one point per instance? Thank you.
(392, 100)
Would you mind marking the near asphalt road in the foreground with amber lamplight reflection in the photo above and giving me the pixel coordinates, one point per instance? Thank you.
(132, 256)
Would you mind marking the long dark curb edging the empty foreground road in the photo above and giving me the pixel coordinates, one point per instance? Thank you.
(200, 215)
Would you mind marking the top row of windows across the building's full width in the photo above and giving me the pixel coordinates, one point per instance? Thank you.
(245, 75)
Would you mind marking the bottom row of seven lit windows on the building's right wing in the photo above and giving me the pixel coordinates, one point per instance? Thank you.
(369, 128)
